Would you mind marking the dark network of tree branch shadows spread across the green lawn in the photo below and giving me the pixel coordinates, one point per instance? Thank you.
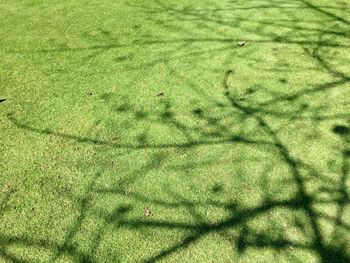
(230, 128)
